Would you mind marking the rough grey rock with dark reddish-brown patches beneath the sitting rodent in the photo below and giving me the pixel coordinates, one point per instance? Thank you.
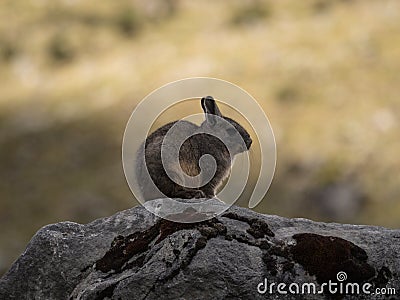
(135, 255)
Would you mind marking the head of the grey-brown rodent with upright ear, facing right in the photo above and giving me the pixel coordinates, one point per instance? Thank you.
(234, 135)
